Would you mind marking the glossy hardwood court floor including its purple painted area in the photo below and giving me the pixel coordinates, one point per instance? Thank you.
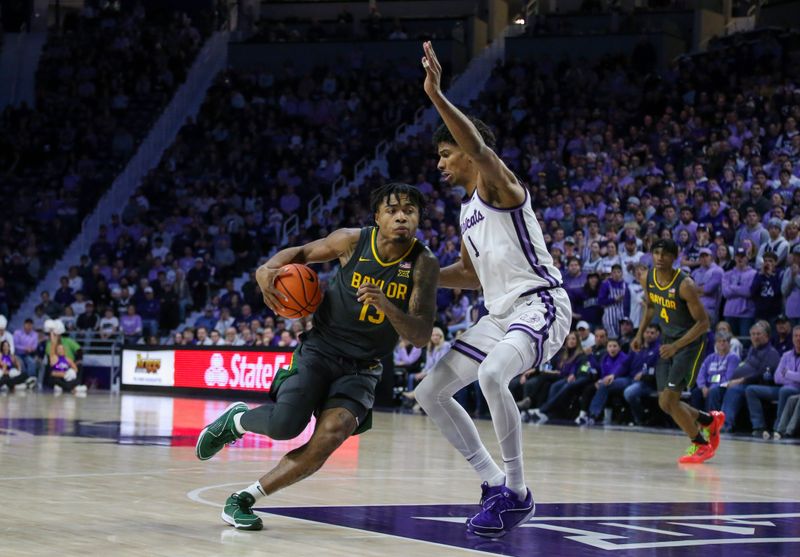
(117, 475)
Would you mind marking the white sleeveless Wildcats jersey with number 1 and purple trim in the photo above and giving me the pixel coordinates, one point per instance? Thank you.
(507, 249)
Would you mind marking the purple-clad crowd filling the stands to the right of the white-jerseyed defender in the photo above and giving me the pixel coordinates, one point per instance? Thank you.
(706, 153)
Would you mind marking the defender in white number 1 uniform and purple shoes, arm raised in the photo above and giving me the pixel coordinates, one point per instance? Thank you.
(503, 252)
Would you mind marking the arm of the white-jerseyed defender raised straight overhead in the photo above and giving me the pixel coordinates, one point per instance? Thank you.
(495, 175)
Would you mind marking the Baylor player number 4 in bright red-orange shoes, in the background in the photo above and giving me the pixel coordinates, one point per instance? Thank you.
(671, 299)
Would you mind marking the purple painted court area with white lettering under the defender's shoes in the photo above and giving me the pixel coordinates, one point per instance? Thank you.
(589, 529)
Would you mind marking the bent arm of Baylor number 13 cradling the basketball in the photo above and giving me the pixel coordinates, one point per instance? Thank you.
(339, 244)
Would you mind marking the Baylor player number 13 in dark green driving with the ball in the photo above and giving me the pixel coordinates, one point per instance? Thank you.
(386, 285)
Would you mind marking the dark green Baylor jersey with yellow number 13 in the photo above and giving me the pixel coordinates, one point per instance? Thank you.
(345, 327)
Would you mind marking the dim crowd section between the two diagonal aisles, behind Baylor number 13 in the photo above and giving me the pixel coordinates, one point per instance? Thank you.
(262, 146)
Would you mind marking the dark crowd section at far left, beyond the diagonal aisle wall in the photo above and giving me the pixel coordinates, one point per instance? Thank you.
(103, 78)
